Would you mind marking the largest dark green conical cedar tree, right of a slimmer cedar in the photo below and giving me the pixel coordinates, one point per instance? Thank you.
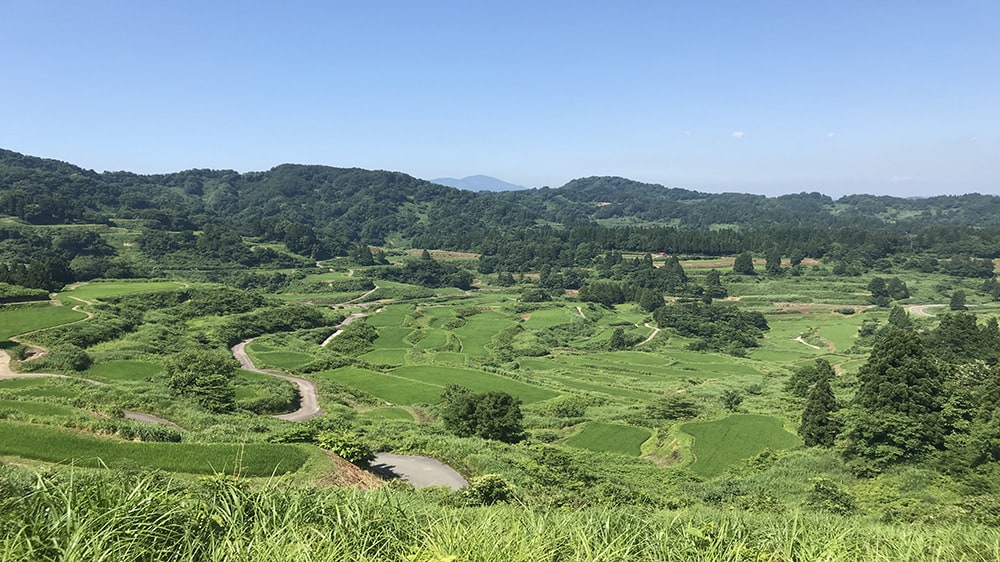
(896, 413)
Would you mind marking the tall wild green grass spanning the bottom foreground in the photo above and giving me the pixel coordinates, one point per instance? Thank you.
(70, 517)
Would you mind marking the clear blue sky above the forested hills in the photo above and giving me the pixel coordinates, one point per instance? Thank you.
(843, 96)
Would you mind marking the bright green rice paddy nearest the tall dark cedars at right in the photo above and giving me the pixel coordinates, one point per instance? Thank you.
(721, 443)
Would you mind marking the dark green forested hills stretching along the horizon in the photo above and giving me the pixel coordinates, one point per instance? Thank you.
(373, 206)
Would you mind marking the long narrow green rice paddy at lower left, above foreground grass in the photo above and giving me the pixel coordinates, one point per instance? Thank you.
(66, 446)
